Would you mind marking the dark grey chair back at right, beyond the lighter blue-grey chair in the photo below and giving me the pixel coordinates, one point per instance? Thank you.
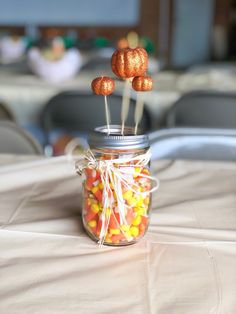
(204, 109)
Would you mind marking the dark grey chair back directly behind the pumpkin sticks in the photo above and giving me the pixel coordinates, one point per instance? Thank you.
(79, 113)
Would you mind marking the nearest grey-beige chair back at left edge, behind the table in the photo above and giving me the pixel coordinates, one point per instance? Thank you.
(14, 140)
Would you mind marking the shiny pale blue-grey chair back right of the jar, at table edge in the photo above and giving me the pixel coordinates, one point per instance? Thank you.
(194, 144)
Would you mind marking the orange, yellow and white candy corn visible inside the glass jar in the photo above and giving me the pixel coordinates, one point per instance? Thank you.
(136, 203)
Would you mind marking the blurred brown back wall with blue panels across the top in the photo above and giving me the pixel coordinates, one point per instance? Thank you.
(183, 32)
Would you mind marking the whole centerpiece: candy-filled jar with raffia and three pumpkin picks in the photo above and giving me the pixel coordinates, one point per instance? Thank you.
(118, 183)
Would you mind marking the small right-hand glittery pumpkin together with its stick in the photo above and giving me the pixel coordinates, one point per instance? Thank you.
(140, 84)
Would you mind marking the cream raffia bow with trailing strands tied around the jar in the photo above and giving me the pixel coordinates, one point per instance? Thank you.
(118, 173)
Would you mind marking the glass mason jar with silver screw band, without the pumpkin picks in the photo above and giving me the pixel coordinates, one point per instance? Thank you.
(116, 188)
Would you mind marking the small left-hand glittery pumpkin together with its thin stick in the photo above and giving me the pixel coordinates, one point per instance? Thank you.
(104, 86)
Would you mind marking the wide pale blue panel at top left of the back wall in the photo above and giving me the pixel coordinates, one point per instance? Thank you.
(69, 12)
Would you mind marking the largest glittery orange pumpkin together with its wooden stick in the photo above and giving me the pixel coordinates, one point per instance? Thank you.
(127, 63)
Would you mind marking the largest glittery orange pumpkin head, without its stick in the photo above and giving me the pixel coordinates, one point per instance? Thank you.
(129, 62)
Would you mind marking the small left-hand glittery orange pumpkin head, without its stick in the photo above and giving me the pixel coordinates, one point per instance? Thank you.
(103, 85)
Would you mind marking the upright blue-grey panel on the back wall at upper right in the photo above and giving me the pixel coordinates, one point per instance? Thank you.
(191, 31)
